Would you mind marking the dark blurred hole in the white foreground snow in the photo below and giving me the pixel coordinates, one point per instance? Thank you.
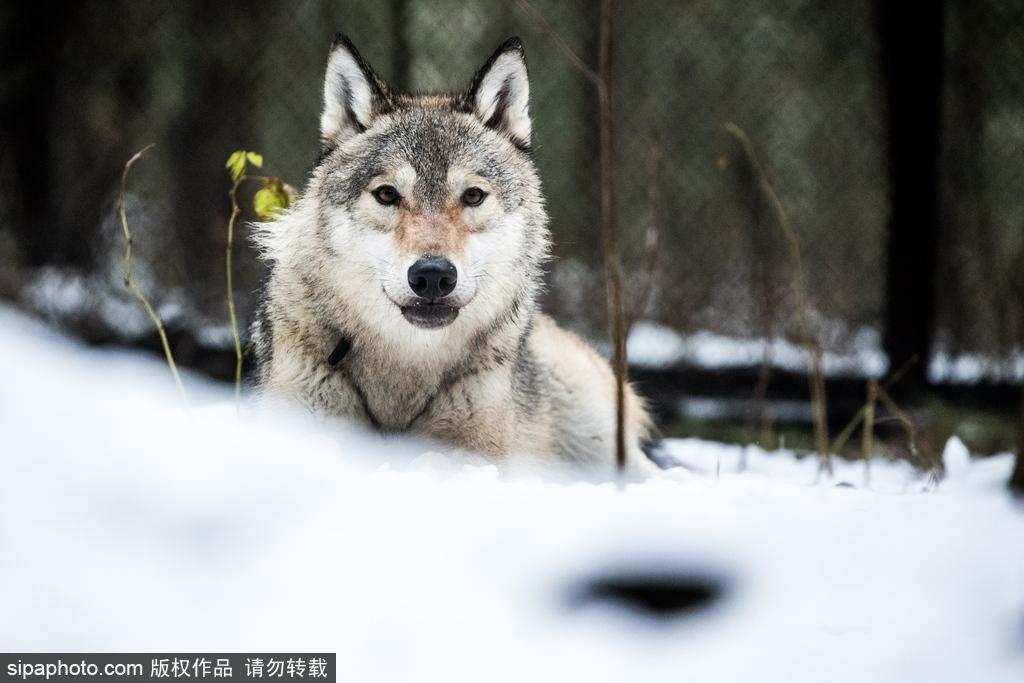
(663, 595)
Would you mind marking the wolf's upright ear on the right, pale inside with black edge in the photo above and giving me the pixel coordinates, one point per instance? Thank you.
(500, 93)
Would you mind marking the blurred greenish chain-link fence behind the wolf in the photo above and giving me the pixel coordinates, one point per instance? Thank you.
(86, 88)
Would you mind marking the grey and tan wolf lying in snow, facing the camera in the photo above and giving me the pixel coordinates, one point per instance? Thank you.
(404, 281)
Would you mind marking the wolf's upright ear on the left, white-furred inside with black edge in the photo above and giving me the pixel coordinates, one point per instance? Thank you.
(354, 95)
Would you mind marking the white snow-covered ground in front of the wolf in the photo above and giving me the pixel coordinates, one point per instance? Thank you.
(130, 524)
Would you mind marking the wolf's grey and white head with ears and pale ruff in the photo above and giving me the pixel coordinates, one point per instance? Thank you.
(423, 222)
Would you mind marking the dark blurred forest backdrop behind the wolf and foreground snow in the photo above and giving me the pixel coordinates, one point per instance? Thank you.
(892, 143)
